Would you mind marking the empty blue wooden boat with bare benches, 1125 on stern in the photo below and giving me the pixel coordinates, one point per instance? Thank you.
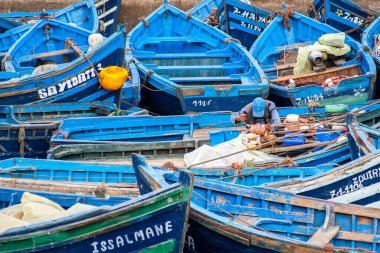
(192, 67)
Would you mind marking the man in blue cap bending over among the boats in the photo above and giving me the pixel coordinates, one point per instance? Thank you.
(259, 112)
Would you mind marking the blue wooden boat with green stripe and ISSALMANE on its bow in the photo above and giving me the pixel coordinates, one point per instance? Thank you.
(154, 222)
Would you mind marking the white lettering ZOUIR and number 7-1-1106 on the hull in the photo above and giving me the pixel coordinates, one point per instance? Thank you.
(356, 183)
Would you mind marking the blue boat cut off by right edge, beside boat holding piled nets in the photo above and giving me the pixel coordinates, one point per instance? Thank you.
(371, 43)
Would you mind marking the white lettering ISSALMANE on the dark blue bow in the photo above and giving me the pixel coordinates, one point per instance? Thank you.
(122, 241)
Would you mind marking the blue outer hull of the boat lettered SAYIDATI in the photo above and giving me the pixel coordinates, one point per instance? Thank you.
(76, 82)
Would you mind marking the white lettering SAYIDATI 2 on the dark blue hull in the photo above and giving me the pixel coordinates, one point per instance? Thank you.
(67, 84)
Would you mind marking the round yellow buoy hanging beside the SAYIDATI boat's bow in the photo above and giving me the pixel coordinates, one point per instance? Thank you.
(112, 77)
